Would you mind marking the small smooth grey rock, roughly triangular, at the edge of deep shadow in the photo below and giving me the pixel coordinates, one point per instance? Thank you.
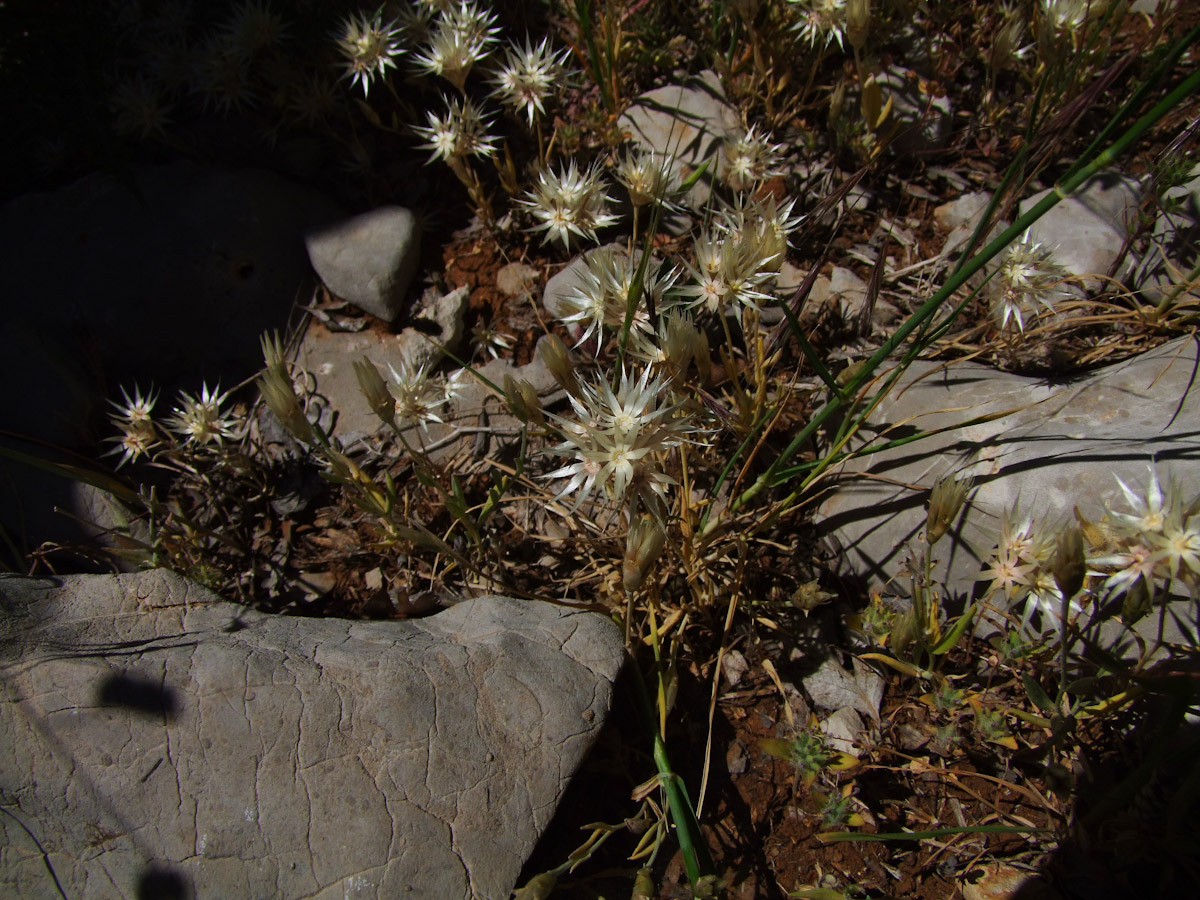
(369, 260)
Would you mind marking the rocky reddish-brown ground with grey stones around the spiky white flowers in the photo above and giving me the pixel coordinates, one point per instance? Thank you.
(127, 693)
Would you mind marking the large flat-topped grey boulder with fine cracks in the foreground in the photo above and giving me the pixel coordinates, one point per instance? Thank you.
(154, 737)
